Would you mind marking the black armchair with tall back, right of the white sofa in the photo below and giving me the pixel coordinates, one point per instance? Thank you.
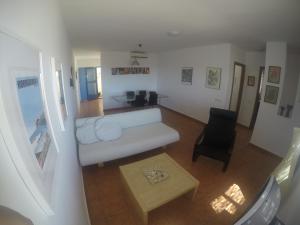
(218, 136)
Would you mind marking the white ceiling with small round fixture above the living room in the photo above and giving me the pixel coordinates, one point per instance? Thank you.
(123, 24)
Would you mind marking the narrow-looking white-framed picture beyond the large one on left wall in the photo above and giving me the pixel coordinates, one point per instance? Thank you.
(59, 90)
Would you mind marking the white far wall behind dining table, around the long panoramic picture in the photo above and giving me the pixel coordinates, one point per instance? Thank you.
(117, 84)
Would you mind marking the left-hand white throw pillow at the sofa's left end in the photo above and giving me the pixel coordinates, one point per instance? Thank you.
(86, 134)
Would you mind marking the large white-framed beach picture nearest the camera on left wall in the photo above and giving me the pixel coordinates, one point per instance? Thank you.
(29, 137)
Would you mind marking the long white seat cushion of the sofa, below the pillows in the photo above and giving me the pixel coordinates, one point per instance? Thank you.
(134, 140)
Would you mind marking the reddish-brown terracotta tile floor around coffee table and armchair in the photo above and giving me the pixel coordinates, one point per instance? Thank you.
(249, 168)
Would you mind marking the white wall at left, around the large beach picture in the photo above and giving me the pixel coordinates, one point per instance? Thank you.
(40, 24)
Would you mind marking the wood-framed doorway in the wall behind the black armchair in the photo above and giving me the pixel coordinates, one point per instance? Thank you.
(237, 87)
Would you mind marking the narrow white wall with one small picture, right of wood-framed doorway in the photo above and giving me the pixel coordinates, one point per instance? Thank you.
(253, 61)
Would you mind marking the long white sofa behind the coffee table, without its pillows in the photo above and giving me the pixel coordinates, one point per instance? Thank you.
(142, 130)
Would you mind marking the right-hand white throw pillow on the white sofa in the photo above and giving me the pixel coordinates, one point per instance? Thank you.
(107, 131)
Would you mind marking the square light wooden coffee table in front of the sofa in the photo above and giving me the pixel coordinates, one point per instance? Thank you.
(147, 196)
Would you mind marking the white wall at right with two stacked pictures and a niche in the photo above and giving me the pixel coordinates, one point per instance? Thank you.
(273, 132)
